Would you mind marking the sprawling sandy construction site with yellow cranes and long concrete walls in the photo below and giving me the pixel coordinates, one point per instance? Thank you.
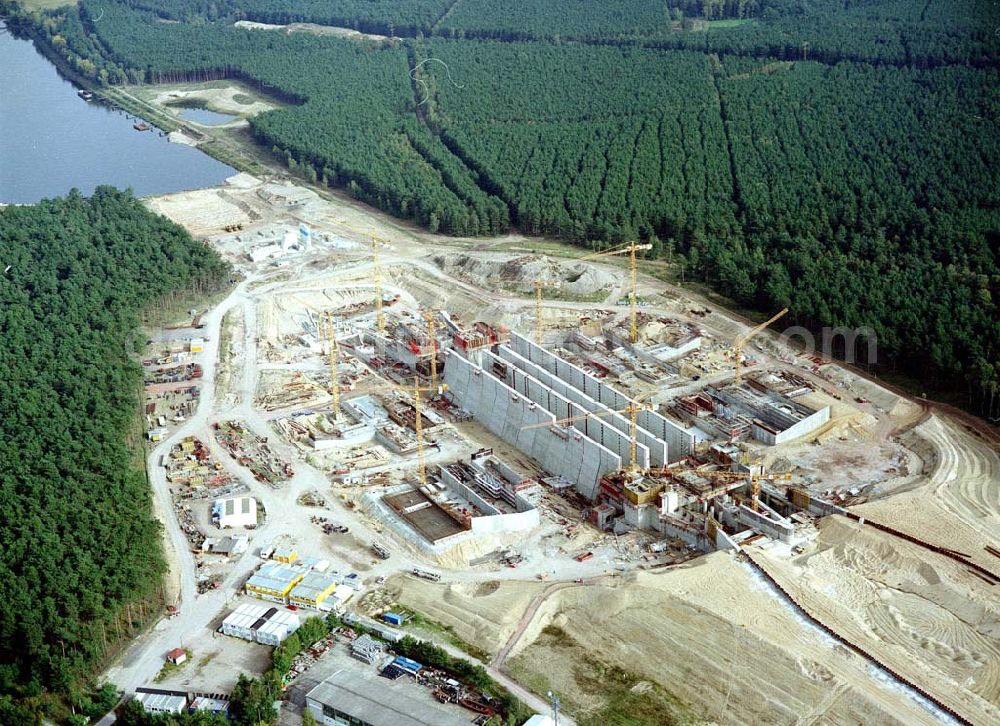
(580, 474)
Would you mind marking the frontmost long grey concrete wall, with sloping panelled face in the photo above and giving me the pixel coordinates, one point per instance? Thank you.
(505, 412)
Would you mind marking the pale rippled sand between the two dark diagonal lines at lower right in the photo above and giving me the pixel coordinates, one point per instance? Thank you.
(919, 612)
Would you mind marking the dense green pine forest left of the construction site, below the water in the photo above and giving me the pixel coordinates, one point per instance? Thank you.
(80, 556)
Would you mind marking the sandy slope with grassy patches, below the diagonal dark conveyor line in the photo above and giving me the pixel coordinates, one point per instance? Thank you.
(710, 633)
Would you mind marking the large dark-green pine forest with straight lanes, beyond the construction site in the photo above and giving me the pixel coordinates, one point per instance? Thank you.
(840, 158)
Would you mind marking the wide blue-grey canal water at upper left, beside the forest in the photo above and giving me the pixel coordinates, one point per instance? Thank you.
(51, 140)
